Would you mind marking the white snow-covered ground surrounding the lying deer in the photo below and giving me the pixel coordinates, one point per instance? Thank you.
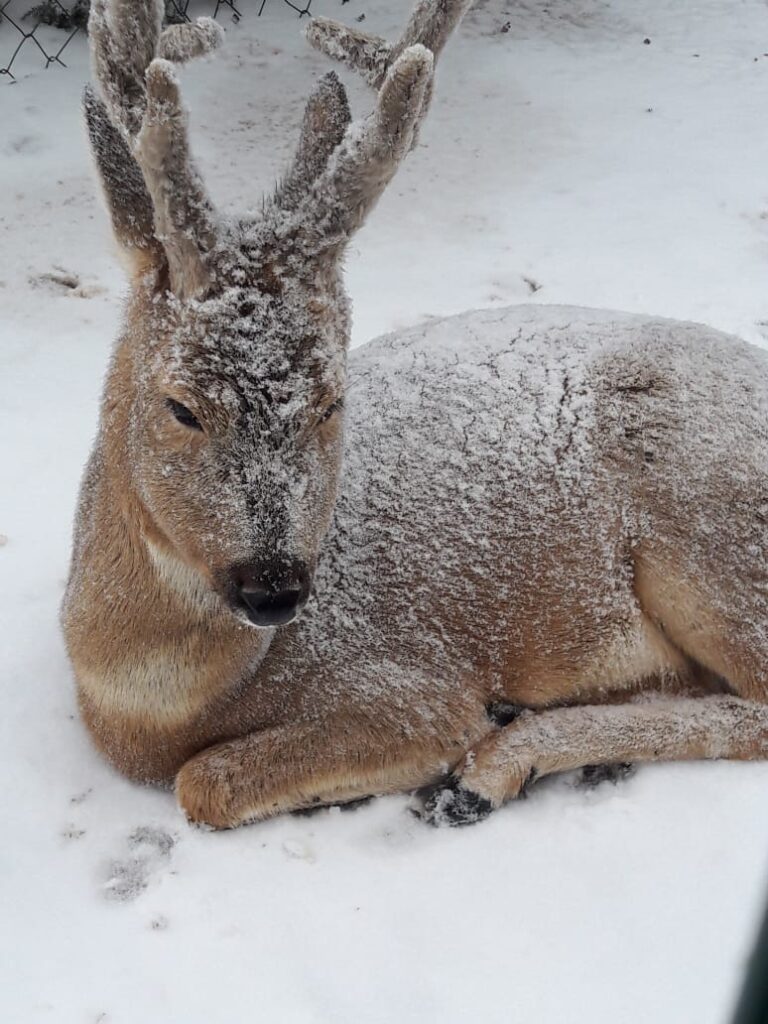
(609, 154)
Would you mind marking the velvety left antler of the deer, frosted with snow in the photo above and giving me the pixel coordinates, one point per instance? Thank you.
(133, 66)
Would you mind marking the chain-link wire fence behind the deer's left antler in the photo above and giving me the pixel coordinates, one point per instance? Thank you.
(39, 33)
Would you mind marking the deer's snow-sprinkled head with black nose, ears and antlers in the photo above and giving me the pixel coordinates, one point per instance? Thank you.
(224, 409)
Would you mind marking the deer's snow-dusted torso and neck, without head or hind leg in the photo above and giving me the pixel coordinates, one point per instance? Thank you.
(521, 488)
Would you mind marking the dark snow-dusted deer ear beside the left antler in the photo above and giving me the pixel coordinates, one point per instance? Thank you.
(124, 190)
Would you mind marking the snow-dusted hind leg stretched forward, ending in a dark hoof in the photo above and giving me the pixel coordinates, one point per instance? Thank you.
(562, 740)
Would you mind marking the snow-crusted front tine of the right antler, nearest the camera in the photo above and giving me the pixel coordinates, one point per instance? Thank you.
(363, 165)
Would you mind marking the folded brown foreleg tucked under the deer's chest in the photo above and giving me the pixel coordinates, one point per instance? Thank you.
(301, 766)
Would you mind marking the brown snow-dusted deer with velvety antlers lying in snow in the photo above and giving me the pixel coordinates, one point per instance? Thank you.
(546, 511)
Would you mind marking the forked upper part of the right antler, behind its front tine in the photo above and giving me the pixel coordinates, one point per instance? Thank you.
(431, 25)
